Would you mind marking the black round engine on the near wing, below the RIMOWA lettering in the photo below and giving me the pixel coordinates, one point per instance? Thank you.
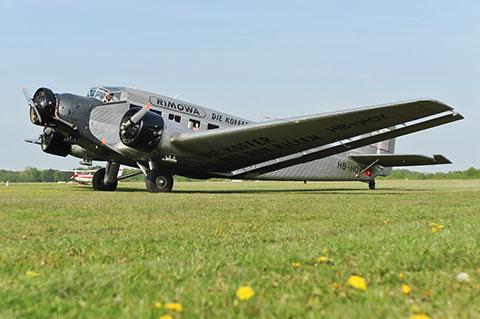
(143, 135)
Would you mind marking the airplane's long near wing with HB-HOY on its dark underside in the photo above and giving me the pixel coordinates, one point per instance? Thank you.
(225, 150)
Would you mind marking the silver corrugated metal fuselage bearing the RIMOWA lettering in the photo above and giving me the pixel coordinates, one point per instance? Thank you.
(181, 116)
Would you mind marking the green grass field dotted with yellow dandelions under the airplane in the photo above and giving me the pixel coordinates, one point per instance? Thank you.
(66, 251)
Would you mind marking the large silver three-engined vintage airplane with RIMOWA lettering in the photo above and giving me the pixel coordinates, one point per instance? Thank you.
(164, 136)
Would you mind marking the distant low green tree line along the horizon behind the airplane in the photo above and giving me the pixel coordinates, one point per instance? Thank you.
(35, 175)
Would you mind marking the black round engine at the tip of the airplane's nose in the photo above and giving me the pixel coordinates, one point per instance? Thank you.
(42, 106)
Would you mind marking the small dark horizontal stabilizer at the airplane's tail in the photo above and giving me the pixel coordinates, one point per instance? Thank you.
(390, 160)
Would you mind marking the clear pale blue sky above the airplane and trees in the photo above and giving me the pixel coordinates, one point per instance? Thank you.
(250, 58)
